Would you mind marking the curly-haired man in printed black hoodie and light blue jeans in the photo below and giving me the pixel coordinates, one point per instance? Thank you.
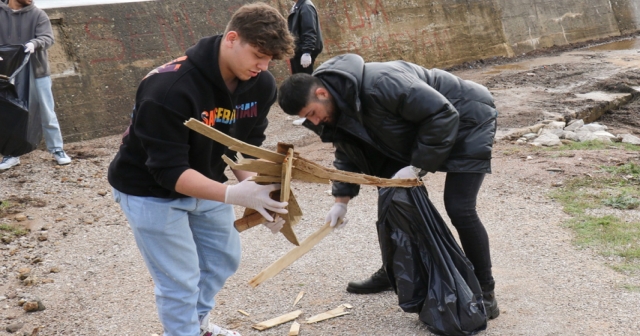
(169, 180)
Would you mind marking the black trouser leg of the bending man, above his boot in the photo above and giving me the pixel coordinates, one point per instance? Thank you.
(460, 195)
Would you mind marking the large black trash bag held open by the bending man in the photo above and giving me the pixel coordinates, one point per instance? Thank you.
(427, 269)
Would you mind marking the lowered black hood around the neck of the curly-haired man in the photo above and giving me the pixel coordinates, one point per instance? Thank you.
(204, 55)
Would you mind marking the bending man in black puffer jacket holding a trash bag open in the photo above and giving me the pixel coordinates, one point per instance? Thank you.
(397, 119)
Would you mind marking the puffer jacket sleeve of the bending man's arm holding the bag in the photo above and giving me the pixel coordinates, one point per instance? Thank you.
(436, 118)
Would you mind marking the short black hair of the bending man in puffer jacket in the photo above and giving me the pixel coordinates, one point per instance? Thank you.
(296, 92)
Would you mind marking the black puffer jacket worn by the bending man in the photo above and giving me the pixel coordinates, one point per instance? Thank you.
(393, 114)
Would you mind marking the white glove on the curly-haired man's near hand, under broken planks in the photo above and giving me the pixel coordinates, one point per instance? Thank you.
(255, 196)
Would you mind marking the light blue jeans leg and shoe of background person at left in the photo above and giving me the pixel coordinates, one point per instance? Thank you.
(50, 125)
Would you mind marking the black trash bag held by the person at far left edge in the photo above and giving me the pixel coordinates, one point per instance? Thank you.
(20, 129)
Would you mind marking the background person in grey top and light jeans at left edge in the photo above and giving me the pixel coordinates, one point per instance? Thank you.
(21, 22)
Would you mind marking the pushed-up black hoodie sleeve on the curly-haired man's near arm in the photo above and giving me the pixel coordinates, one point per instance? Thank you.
(165, 141)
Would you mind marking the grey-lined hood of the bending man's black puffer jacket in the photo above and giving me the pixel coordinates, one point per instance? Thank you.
(342, 75)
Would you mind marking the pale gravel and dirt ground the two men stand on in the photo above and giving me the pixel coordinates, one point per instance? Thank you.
(545, 285)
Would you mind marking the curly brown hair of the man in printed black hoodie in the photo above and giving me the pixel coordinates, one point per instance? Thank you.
(263, 27)
